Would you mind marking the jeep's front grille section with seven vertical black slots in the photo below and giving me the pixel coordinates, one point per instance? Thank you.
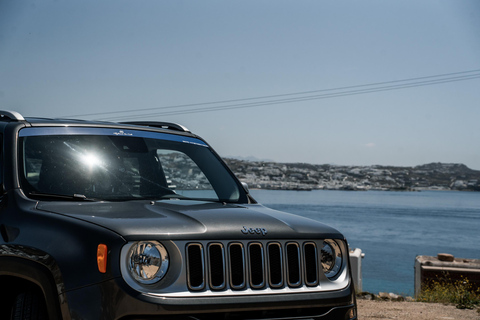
(252, 265)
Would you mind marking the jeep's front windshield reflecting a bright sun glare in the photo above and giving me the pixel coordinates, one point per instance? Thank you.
(78, 163)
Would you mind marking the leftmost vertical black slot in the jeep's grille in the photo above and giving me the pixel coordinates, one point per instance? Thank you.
(195, 267)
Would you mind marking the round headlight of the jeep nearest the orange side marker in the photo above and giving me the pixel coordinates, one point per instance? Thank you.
(147, 261)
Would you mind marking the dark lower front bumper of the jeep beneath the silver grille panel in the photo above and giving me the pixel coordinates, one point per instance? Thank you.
(114, 300)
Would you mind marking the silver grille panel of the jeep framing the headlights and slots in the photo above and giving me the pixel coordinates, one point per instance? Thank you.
(243, 267)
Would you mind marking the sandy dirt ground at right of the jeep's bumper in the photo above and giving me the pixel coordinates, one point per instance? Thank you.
(374, 310)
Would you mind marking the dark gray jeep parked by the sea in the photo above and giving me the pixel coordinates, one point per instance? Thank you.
(145, 221)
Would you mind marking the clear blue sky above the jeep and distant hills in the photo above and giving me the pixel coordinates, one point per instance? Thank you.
(78, 58)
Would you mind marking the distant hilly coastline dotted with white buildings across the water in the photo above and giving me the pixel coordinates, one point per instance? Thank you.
(304, 177)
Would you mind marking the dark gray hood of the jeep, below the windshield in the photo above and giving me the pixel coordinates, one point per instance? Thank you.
(185, 219)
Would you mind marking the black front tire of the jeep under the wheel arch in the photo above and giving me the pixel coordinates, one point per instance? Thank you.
(29, 305)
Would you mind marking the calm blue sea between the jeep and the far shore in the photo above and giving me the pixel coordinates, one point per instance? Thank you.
(391, 228)
